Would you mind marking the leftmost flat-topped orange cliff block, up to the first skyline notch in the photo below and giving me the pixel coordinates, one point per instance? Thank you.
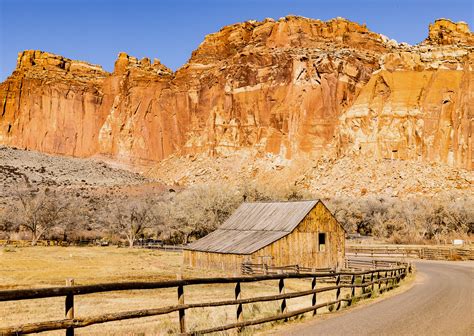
(52, 104)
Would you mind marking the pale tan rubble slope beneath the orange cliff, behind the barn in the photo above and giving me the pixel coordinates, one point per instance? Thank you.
(323, 178)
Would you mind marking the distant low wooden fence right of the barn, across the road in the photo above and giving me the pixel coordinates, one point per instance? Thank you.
(422, 252)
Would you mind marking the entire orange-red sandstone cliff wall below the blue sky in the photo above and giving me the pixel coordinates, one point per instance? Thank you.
(289, 87)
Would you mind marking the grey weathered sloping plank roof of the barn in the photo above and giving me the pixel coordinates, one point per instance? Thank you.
(253, 226)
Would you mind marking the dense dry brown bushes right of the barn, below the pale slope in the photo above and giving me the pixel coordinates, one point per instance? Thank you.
(412, 220)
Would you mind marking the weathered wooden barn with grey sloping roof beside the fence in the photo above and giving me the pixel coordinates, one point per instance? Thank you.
(303, 233)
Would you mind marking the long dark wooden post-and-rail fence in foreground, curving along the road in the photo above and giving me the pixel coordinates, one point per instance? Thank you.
(369, 281)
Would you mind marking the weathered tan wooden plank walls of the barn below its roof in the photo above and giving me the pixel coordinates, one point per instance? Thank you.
(300, 247)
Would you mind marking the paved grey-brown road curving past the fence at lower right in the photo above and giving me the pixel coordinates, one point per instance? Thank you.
(439, 303)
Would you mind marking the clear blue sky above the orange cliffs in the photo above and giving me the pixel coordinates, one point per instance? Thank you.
(96, 31)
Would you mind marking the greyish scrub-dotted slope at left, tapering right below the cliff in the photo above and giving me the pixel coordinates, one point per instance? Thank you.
(79, 178)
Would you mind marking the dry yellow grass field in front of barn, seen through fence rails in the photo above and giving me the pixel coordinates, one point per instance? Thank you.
(49, 266)
